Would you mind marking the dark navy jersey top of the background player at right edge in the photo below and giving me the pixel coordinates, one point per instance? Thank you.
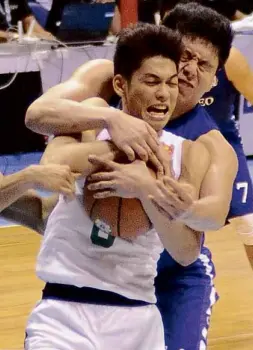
(221, 102)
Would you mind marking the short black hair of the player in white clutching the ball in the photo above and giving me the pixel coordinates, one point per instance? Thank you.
(141, 41)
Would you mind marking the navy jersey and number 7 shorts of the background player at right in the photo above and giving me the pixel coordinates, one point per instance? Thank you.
(222, 104)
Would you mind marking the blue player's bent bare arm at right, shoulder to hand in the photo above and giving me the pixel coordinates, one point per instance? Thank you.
(209, 212)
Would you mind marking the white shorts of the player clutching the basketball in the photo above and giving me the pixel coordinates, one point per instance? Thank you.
(62, 325)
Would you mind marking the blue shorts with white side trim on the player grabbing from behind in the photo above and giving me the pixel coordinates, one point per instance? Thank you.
(185, 297)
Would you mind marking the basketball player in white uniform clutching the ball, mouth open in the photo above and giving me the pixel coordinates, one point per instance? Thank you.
(99, 289)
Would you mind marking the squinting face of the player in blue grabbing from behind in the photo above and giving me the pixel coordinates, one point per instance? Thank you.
(197, 71)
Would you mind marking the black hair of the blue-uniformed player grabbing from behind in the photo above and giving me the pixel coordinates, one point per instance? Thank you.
(199, 22)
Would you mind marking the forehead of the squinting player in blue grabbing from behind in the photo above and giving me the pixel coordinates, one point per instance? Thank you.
(200, 48)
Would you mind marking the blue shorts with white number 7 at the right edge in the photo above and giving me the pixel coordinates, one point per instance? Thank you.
(242, 199)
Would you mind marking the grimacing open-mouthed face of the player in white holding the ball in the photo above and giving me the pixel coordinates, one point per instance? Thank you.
(152, 92)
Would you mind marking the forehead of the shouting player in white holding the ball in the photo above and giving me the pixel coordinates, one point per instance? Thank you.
(159, 66)
